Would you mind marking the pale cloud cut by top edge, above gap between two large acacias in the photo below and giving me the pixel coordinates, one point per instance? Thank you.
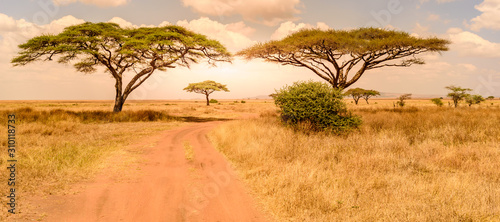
(268, 12)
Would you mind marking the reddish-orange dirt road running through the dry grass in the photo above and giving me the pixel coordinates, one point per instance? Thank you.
(169, 187)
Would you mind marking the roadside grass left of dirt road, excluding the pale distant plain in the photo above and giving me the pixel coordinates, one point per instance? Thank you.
(58, 148)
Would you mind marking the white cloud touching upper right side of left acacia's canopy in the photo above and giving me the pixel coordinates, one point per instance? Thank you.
(233, 35)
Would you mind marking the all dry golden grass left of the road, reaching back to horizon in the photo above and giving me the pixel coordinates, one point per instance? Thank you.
(62, 142)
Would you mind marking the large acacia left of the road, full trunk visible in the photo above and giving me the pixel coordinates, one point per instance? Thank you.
(139, 51)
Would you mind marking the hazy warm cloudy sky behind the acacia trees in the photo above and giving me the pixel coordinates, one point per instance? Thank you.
(473, 27)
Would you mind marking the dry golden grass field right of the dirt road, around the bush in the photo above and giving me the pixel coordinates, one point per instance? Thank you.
(415, 164)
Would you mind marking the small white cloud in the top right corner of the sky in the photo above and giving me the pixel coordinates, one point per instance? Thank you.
(490, 17)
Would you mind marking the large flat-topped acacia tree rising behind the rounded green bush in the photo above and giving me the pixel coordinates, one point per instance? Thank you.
(333, 54)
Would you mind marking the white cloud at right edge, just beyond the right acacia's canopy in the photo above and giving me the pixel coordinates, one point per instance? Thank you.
(470, 44)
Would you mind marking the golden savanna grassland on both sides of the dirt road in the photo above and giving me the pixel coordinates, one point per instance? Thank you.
(417, 163)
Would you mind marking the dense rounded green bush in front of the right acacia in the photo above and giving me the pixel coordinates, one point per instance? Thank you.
(314, 106)
